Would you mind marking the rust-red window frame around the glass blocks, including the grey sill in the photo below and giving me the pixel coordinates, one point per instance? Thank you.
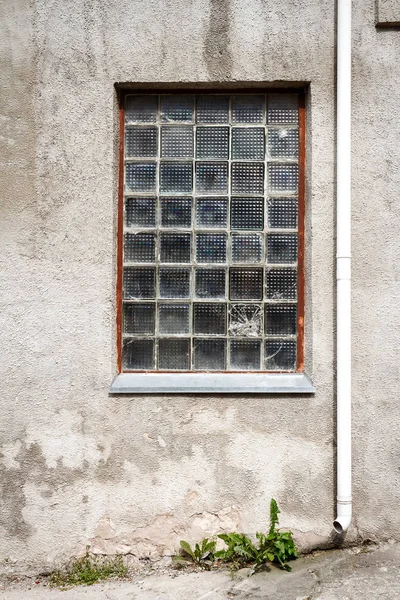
(216, 381)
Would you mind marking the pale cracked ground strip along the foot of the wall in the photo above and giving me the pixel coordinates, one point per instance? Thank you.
(368, 573)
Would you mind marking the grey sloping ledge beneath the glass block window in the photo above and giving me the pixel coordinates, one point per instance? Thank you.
(211, 383)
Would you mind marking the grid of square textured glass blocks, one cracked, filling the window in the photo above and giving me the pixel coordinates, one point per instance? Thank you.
(210, 241)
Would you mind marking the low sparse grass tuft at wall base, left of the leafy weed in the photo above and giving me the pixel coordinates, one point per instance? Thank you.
(88, 570)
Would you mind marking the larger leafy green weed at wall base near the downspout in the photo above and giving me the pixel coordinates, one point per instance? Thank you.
(277, 548)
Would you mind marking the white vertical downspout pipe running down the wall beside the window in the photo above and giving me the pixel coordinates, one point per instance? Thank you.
(343, 267)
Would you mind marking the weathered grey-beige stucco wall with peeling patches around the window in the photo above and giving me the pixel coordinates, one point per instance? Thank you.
(136, 474)
